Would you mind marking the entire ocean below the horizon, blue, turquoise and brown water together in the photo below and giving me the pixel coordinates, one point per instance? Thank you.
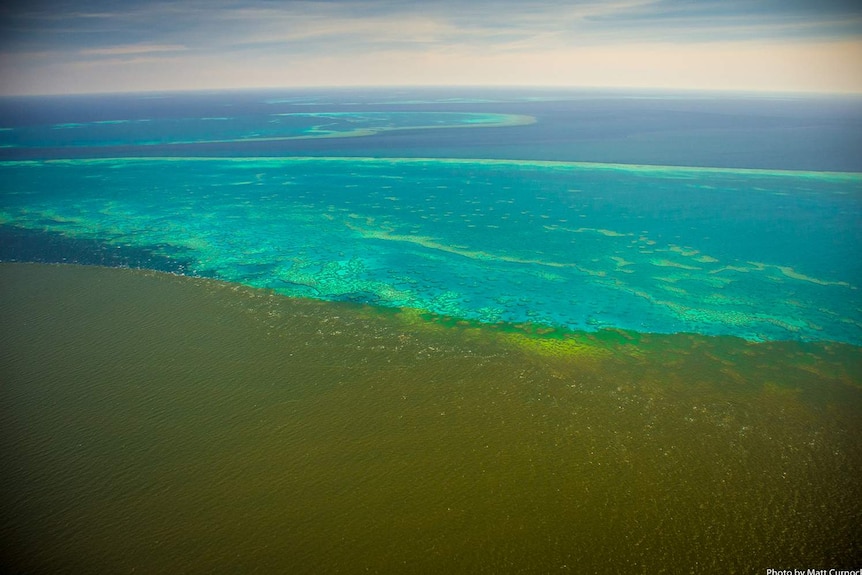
(421, 330)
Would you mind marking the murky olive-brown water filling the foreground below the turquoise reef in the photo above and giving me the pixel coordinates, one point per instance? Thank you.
(158, 424)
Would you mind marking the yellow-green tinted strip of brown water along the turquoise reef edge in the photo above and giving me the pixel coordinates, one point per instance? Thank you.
(731, 360)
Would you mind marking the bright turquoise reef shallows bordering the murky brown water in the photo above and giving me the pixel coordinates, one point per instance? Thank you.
(764, 255)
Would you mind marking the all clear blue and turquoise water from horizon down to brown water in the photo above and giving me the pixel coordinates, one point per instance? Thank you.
(653, 212)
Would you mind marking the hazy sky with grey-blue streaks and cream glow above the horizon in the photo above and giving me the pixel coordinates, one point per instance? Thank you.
(92, 46)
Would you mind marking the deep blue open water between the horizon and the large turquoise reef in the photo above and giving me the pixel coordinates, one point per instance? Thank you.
(690, 129)
